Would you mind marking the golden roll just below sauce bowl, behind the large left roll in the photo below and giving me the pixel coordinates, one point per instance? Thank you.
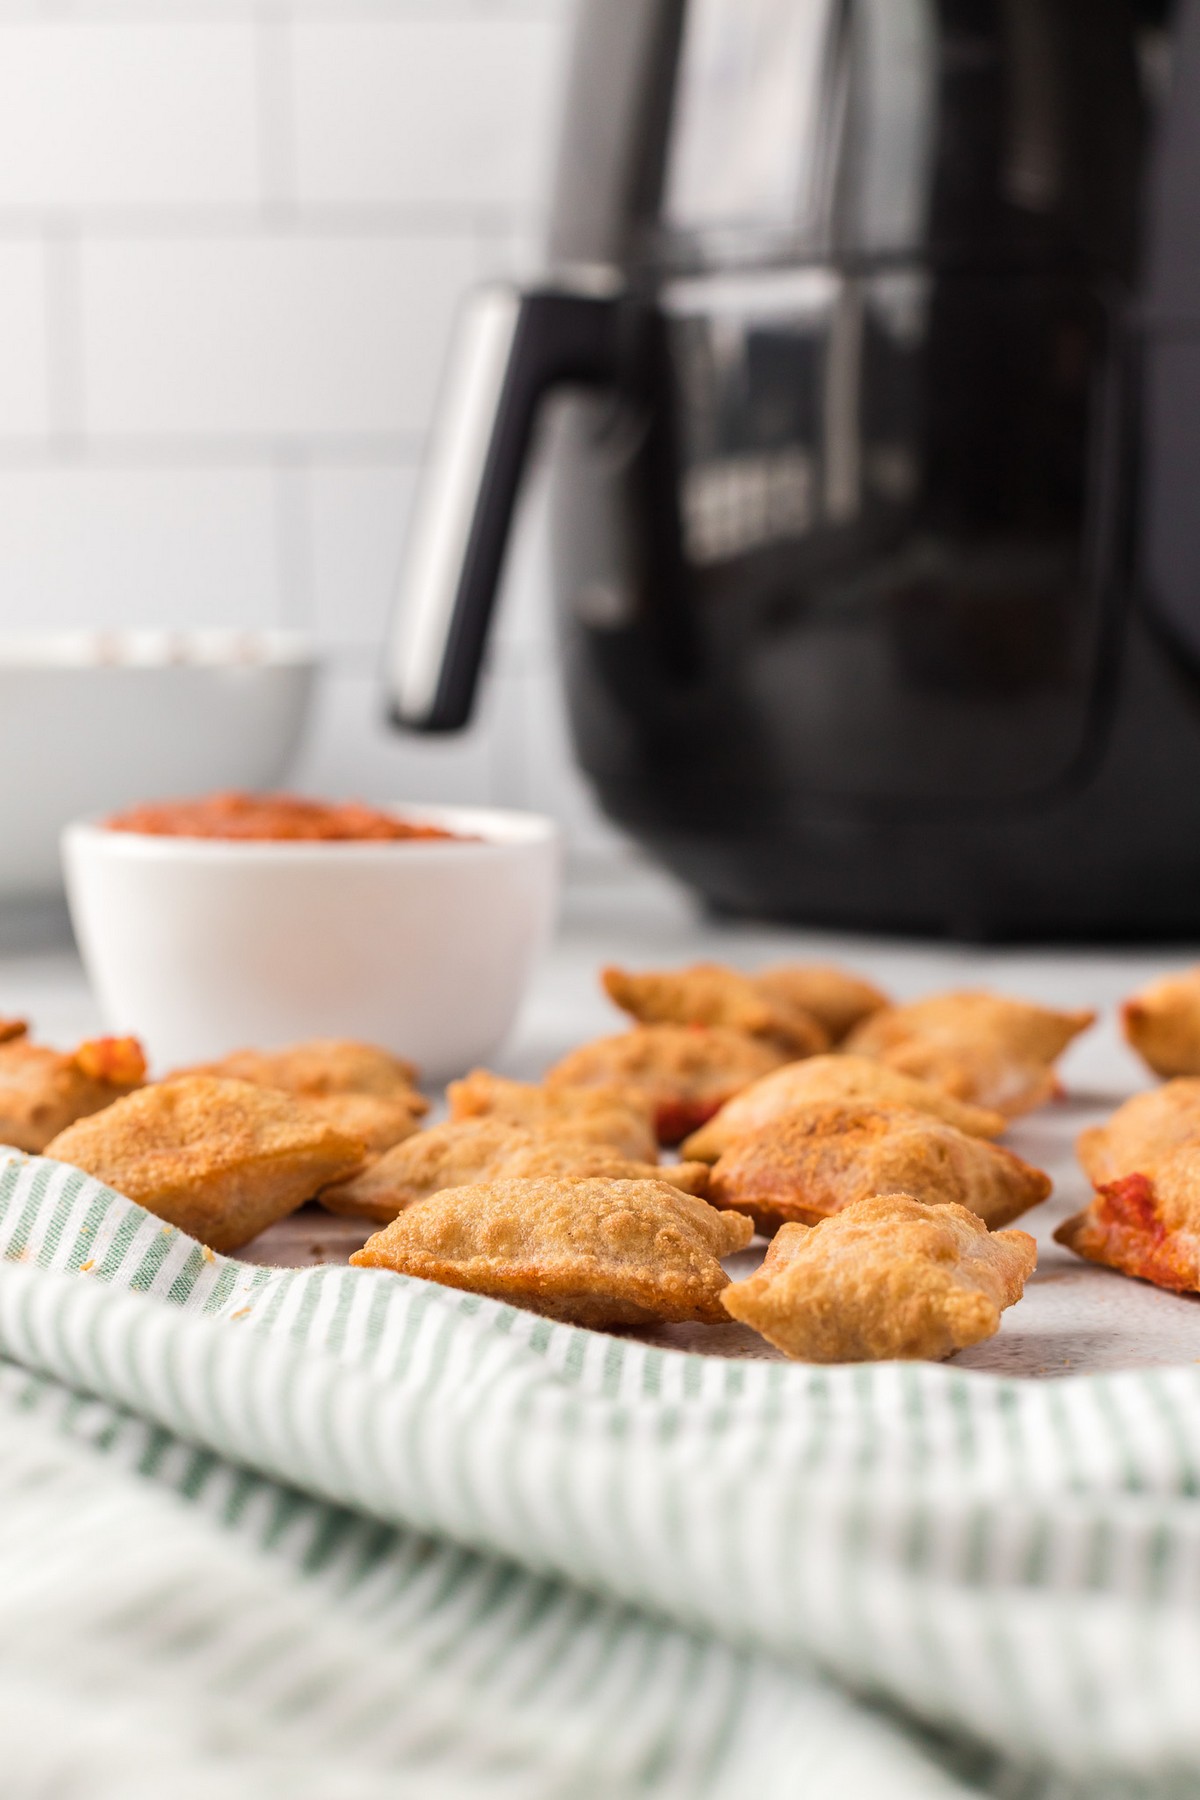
(361, 1090)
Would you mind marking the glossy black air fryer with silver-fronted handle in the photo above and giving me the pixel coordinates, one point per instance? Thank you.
(875, 332)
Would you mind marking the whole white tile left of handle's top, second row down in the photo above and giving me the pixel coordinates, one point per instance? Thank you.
(267, 337)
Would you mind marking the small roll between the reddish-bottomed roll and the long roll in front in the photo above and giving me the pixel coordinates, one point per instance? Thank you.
(609, 1115)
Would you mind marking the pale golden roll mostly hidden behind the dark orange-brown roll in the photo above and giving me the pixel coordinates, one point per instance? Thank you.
(841, 1077)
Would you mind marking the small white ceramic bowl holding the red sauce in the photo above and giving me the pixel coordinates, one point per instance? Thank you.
(425, 948)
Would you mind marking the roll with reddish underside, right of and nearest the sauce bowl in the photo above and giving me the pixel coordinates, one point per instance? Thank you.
(685, 1072)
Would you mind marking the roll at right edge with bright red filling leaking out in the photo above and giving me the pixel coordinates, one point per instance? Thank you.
(1145, 1225)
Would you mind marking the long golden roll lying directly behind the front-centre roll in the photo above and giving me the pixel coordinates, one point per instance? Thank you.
(463, 1153)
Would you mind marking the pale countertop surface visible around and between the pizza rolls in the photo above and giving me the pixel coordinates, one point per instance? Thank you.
(1075, 1318)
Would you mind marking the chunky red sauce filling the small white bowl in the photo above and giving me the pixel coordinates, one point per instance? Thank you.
(274, 818)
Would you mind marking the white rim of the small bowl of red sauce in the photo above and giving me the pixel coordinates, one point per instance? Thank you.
(492, 831)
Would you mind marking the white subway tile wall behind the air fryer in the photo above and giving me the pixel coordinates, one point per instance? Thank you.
(233, 238)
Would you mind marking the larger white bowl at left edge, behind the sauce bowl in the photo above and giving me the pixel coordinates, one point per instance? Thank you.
(91, 723)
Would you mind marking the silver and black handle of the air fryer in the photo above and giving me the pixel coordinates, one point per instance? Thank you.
(510, 352)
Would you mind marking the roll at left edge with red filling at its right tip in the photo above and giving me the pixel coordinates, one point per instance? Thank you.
(44, 1092)
